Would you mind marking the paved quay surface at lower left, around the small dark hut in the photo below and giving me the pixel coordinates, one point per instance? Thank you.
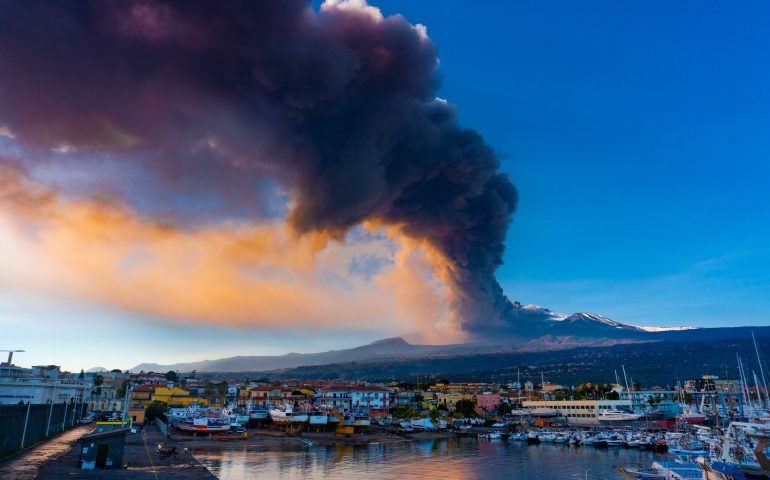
(59, 458)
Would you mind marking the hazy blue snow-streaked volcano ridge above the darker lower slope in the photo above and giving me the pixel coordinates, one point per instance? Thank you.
(537, 330)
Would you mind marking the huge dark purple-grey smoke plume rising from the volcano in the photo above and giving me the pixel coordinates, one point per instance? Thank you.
(337, 105)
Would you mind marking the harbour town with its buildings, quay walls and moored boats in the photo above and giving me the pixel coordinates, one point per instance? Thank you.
(704, 424)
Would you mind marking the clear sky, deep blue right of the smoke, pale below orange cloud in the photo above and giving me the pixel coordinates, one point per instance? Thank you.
(637, 135)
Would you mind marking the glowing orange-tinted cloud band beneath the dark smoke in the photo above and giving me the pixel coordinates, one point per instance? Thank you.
(233, 273)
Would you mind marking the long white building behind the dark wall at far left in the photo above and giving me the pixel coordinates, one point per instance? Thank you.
(40, 385)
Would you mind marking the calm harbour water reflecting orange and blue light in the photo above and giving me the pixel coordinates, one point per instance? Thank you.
(445, 459)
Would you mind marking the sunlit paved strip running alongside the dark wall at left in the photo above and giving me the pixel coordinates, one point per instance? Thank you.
(25, 465)
